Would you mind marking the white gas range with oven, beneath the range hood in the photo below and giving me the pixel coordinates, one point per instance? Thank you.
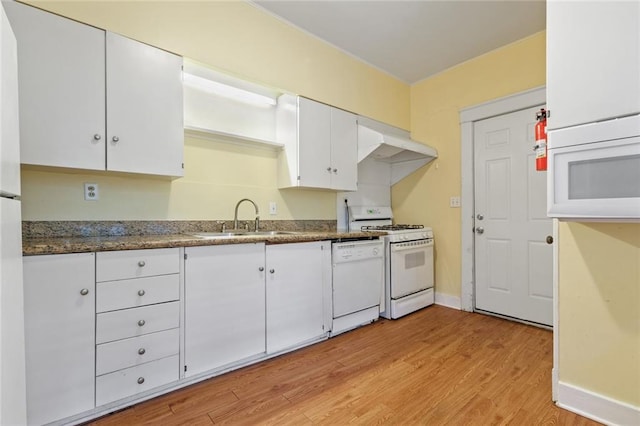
(409, 276)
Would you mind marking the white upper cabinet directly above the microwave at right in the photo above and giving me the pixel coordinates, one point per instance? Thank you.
(593, 61)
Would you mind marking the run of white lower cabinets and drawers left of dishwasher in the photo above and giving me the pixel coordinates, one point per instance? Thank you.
(103, 327)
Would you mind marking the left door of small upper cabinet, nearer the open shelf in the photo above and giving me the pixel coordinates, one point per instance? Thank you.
(314, 149)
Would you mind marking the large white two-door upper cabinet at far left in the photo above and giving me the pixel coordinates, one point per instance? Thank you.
(96, 104)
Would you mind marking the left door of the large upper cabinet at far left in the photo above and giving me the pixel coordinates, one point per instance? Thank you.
(61, 66)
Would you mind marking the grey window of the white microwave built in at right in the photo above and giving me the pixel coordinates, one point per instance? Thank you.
(614, 177)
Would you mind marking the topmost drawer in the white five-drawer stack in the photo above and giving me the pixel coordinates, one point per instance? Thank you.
(125, 264)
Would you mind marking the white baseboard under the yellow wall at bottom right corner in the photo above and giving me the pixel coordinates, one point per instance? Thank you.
(597, 407)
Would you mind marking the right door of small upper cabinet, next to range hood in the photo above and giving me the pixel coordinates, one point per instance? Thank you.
(344, 150)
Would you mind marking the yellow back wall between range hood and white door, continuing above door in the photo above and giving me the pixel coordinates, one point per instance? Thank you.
(435, 105)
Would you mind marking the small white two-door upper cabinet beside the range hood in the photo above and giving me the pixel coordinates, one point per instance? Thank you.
(321, 145)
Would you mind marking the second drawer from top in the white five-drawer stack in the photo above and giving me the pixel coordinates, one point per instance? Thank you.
(112, 295)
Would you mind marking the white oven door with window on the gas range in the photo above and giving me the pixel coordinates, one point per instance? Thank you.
(411, 267)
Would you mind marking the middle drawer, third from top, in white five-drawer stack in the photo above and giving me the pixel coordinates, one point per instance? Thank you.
(133, 322)
